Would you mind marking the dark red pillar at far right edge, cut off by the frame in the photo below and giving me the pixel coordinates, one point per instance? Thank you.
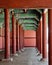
(50, 35)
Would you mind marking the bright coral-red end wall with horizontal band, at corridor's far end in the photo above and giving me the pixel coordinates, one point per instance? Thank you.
(30, 38)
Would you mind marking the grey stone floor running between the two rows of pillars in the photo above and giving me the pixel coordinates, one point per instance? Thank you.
(28, 57)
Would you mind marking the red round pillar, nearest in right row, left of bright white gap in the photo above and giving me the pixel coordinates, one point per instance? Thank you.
(44, 36)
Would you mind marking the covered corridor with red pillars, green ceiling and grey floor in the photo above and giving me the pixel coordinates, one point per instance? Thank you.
(25, 28)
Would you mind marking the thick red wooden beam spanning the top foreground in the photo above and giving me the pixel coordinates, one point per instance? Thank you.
(26, 3)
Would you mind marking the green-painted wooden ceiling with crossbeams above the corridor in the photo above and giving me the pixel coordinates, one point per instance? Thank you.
(27, 18)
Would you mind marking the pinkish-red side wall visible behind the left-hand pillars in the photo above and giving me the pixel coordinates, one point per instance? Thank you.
(2, 38)
